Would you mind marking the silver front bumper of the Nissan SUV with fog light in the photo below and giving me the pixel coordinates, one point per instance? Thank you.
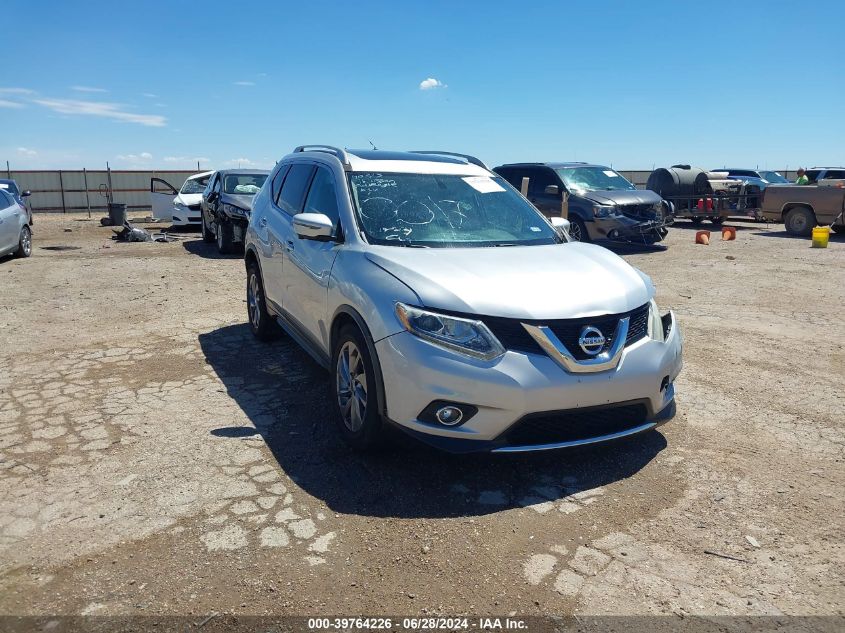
(516, 385)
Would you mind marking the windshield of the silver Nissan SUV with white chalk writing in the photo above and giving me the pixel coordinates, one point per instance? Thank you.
(435, 210)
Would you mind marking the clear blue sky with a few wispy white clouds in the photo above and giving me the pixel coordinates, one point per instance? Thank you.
(637, 84)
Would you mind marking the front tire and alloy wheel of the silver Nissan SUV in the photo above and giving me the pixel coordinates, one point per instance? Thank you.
(354, 391)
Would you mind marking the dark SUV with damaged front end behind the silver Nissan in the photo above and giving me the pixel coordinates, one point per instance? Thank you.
(602, 204)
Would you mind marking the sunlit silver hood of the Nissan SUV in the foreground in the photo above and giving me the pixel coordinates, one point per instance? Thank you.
(557, 281)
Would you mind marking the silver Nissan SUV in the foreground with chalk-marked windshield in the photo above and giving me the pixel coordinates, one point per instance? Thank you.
(442, 302)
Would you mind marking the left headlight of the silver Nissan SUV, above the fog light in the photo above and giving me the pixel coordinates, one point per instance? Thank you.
(461, 335)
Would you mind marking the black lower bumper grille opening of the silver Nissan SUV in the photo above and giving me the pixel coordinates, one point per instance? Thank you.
(575, 424)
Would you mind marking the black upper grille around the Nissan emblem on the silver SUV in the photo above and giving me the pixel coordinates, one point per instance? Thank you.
(514, 337)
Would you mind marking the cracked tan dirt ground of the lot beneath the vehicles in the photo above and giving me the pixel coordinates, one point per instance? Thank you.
(154, 459)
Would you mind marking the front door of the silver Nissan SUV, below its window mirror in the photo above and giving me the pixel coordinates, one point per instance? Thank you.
(309, 262)
